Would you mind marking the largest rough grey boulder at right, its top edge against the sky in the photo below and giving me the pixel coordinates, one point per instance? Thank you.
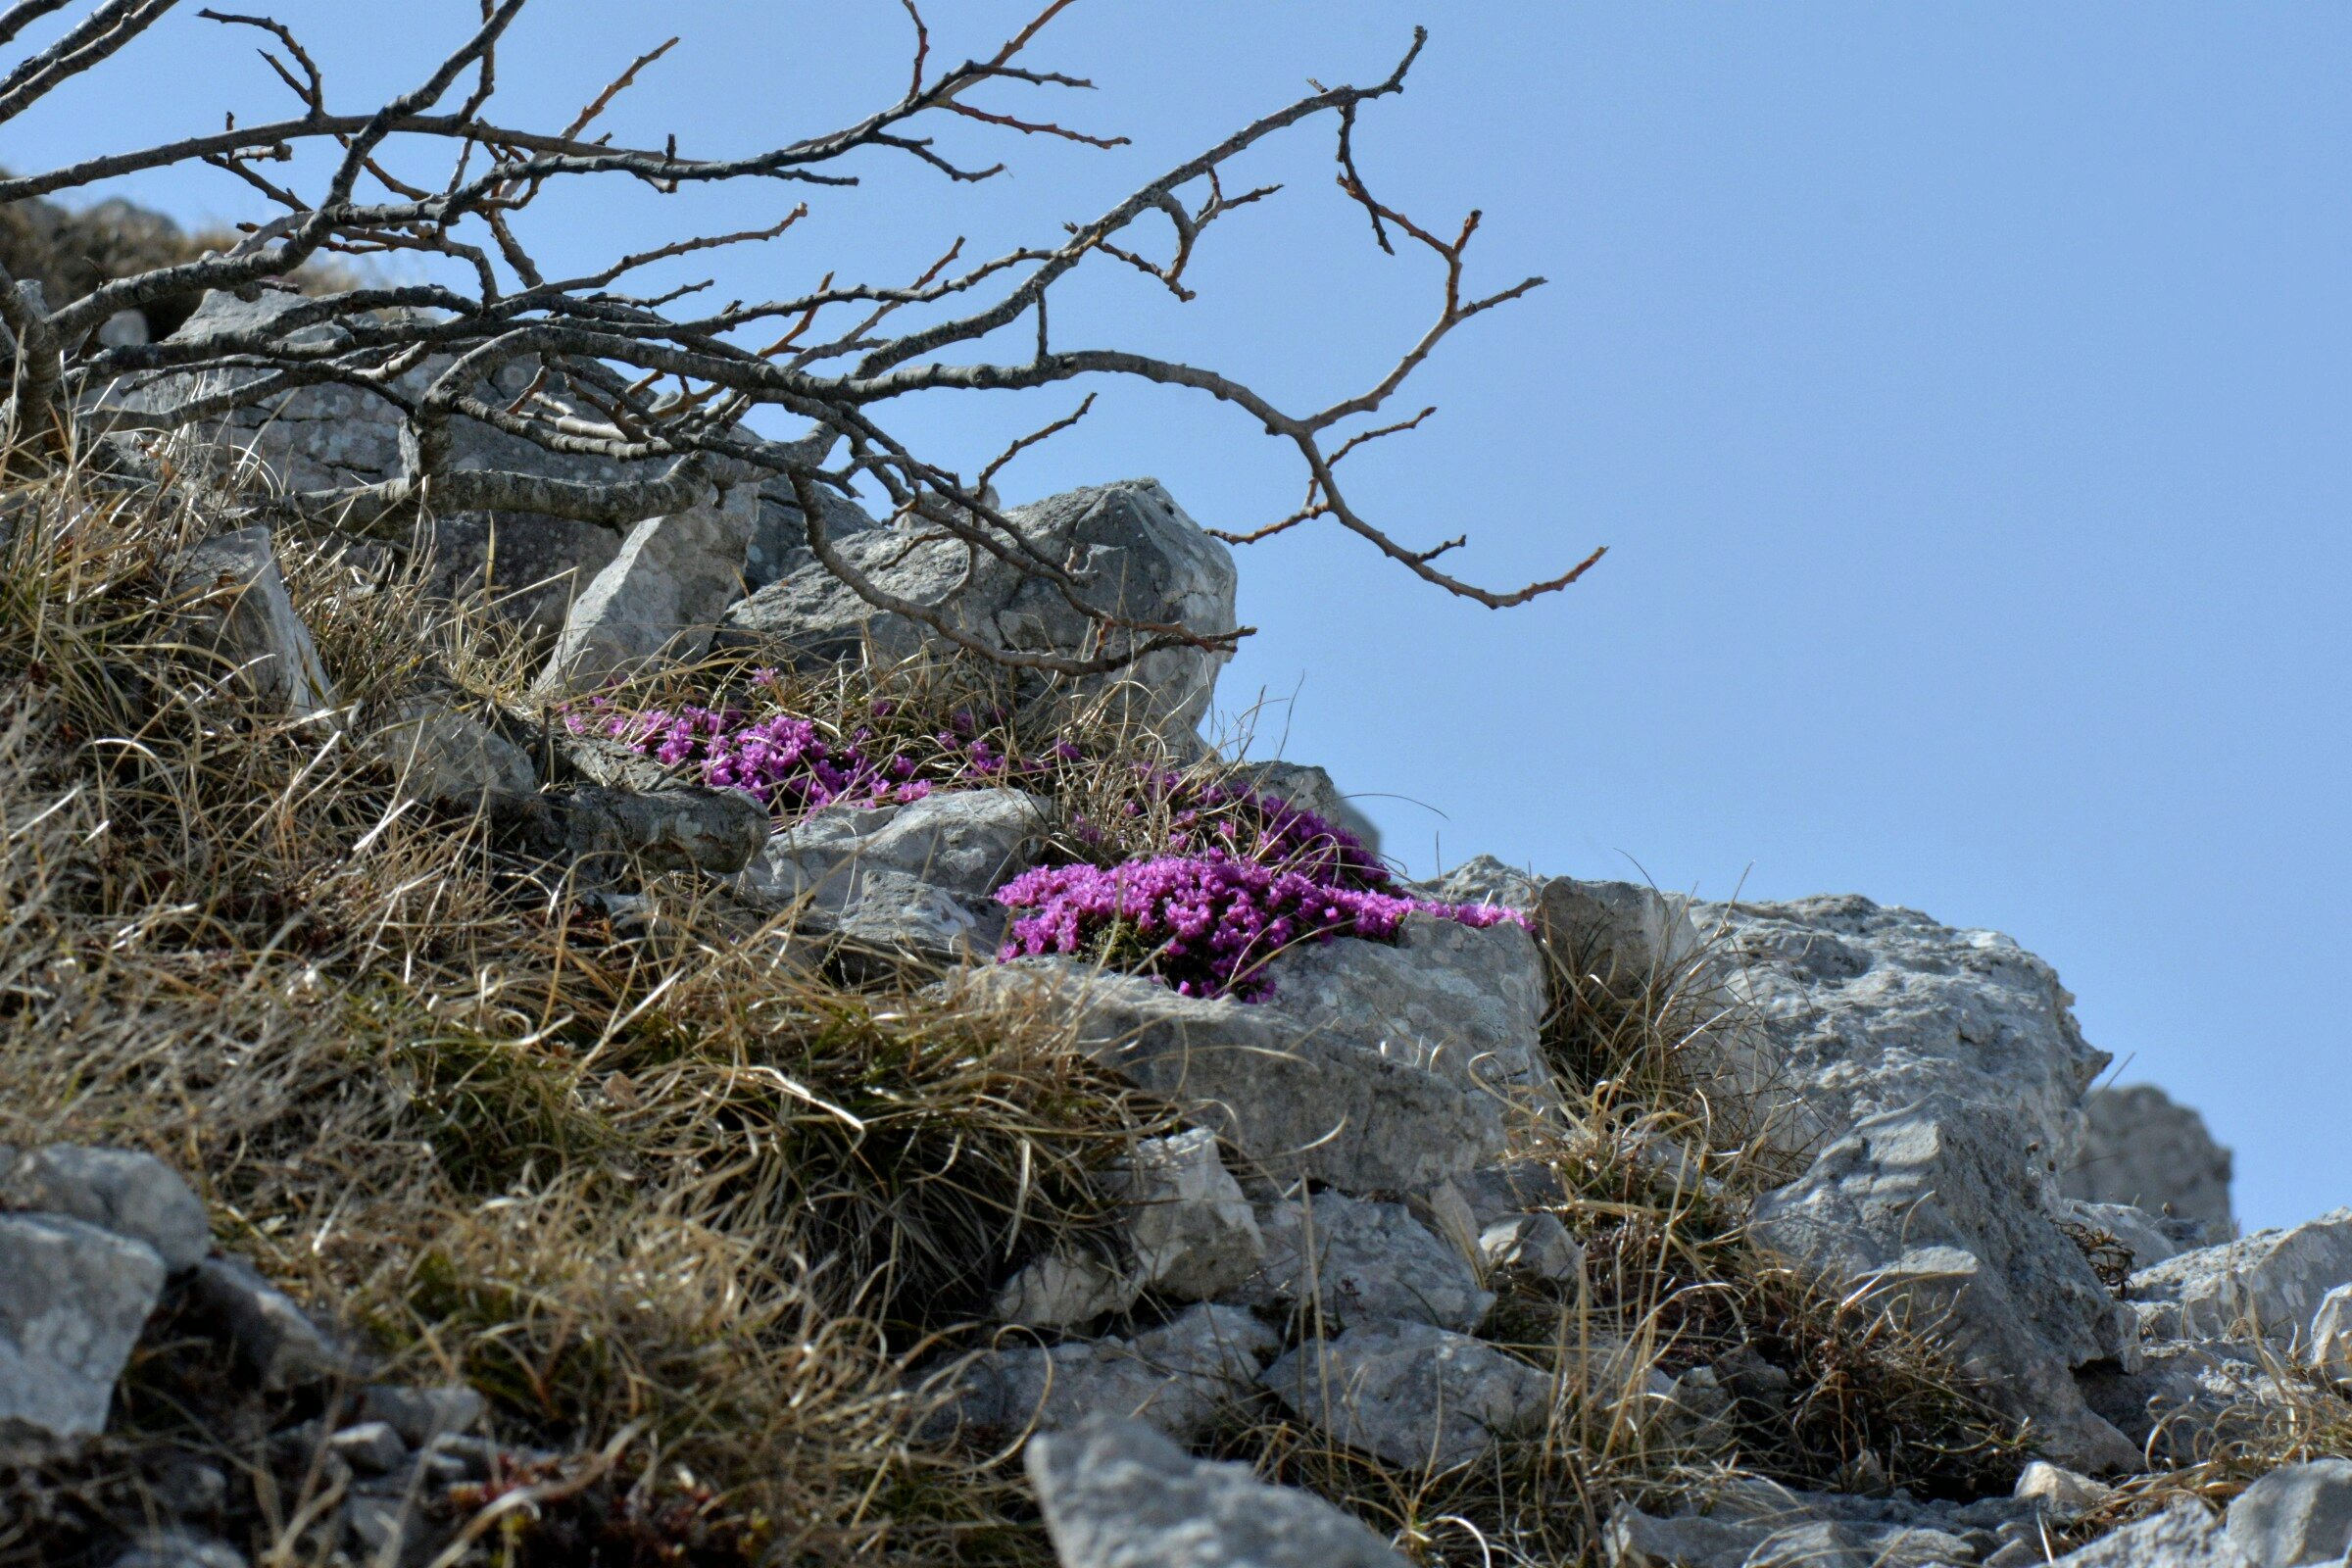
(1942, 1076)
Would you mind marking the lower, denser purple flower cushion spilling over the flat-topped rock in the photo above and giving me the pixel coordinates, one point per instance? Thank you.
(1208, 923)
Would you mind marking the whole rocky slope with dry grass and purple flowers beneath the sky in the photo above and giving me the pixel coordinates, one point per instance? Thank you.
(1523, 1219)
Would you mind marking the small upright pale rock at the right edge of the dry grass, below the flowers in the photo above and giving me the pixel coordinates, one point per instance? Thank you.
(1187, 1221)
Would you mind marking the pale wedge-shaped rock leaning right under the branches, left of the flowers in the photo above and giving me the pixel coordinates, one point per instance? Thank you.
(660, 601)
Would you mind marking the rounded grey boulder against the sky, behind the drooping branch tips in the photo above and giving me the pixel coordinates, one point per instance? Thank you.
(1135, 549)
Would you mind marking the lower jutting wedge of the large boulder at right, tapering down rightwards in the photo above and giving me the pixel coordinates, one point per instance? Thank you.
(1935, 1209)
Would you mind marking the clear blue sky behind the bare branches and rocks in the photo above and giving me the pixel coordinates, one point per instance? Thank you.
(1963, 391)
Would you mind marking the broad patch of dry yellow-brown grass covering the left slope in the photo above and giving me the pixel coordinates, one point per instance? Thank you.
(676, 1200)
